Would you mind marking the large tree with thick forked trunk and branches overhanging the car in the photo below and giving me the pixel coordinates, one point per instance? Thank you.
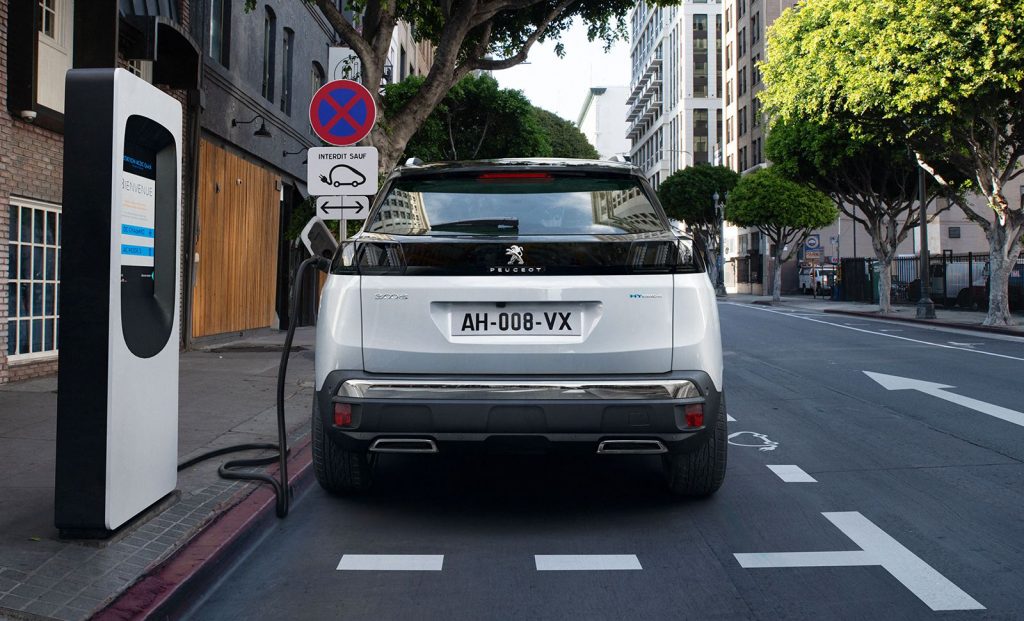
(468, 35)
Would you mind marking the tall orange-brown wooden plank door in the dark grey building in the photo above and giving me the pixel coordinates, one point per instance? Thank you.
(239, 218)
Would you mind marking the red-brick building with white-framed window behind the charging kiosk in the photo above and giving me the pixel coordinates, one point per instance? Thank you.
(42, 40)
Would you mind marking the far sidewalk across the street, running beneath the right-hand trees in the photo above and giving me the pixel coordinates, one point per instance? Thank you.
(947, 318)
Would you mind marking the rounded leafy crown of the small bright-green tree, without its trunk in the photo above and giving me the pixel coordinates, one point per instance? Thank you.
(773, 203)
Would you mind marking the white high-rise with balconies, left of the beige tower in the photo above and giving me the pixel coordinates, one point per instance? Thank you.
(675, 107)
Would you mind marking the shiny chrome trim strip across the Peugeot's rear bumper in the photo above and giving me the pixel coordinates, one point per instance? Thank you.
(539, 391)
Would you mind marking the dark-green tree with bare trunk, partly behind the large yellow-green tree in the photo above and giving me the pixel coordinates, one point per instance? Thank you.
(873, 179)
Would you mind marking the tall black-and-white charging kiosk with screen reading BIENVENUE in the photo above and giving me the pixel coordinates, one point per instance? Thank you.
(120, 292)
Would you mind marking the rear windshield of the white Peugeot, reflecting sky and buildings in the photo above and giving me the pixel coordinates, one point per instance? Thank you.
(517, 204)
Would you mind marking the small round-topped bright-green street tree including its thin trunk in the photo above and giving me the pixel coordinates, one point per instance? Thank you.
(785, 212)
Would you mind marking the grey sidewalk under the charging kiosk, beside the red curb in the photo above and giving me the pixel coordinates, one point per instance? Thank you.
(228, 395)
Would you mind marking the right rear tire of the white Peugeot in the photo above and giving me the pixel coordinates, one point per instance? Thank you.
(699, 474)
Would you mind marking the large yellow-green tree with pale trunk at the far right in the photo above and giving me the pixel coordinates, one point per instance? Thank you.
(948, 76)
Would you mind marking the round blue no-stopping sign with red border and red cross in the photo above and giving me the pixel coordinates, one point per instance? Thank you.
(343, 113)
